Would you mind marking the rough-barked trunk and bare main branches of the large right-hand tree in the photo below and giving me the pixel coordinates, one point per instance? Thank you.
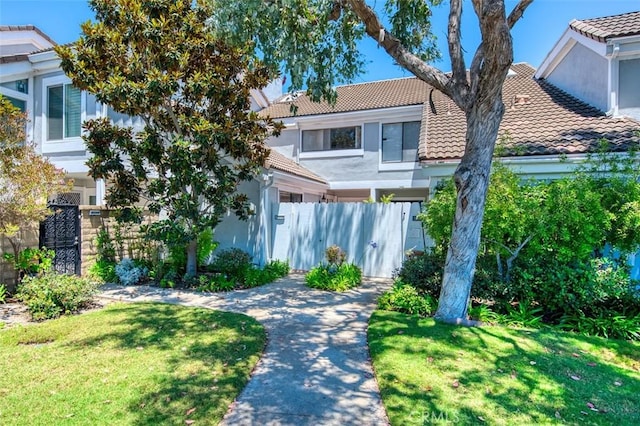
(479, 94)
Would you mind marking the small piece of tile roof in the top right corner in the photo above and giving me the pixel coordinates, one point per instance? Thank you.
(602, 29)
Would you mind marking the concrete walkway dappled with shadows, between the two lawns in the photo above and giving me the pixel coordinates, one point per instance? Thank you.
(315, 369)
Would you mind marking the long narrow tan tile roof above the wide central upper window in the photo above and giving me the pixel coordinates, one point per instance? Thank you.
(356, 97)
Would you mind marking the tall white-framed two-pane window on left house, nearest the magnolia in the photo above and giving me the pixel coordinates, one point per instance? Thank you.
(64, 110)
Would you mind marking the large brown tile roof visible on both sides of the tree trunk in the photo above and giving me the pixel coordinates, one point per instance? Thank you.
(540, 119)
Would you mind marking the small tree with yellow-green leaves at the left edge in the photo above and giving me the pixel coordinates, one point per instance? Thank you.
(27, 179)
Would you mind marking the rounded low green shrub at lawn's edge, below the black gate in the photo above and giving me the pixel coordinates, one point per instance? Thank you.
(50, 295)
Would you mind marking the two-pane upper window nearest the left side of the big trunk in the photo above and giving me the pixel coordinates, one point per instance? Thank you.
(400, 142)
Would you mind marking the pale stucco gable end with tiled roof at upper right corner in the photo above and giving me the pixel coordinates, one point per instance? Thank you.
(598, 61)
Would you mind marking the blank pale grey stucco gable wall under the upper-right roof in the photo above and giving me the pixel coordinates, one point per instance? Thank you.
(584, 74)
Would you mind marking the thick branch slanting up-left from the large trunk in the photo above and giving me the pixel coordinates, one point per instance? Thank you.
(397, 51)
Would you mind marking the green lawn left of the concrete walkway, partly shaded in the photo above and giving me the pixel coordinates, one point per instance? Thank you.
(127, 364)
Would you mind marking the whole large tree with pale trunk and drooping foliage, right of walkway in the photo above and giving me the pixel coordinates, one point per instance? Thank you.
(317, 42)
